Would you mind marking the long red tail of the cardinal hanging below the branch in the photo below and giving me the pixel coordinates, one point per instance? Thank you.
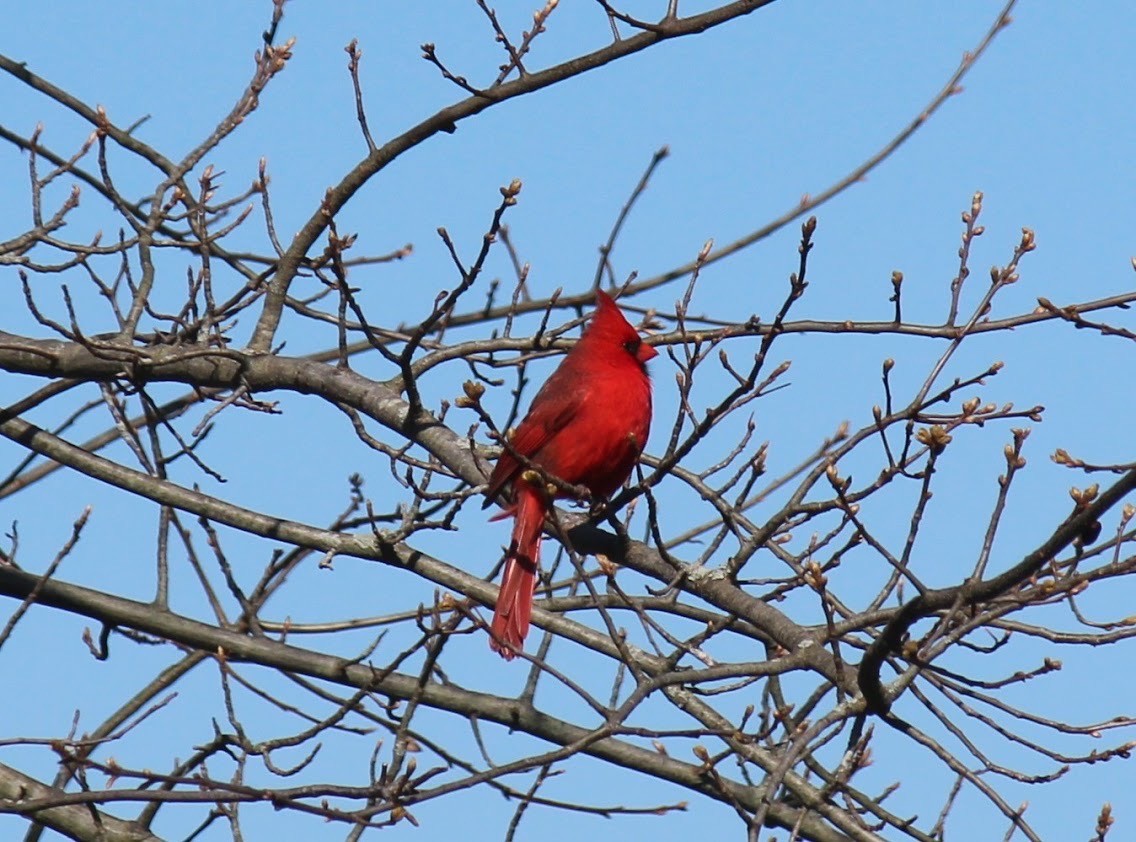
(515, 601)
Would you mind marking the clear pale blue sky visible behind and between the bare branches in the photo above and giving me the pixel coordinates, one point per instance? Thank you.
(756, 115)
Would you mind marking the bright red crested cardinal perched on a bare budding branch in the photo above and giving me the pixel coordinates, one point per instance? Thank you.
(588, 427)
